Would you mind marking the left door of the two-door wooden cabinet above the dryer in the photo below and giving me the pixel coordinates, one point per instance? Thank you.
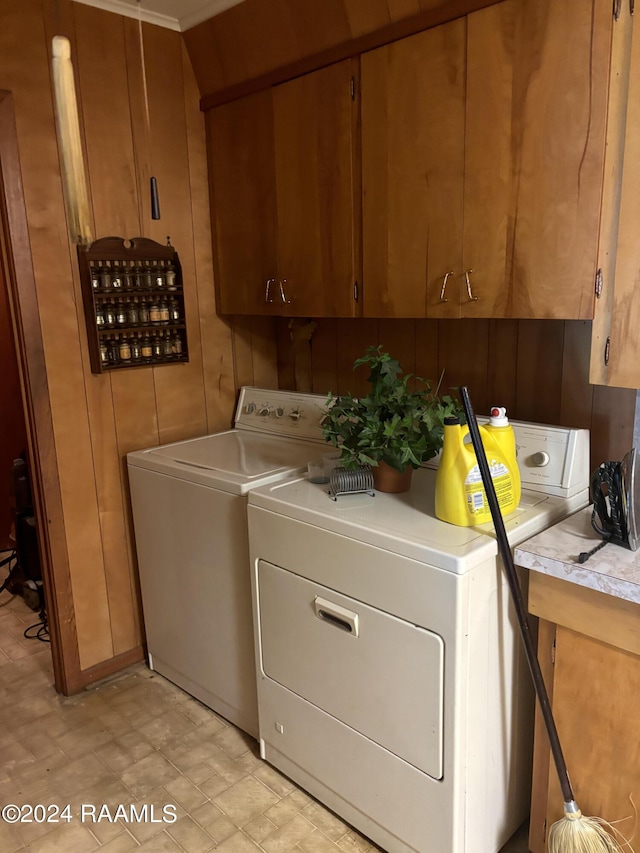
(413, 114)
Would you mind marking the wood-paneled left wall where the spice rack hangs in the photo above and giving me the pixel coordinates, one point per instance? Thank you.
(96, 420)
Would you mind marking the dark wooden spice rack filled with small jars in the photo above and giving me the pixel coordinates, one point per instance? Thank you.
(133, 303)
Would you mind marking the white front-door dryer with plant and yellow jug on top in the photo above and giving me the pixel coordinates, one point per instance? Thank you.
(391, 682)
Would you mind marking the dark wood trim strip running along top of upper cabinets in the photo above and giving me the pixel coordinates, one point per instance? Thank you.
(429, 16)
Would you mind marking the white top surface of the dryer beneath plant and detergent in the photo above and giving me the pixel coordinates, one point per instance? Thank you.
(406, 523)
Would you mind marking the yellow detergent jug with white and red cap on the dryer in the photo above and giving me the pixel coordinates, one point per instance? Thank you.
(460, 495)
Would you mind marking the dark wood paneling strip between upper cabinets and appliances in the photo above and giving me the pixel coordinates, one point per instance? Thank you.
(538, 369)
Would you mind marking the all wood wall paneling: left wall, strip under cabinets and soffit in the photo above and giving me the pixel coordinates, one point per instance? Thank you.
(537, 369)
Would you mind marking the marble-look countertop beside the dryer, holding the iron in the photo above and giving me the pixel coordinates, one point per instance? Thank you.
(613, 570)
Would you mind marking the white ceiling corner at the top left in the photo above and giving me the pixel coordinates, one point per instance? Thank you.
(173, 14)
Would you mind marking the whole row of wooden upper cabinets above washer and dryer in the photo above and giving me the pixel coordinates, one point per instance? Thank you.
(488, 150)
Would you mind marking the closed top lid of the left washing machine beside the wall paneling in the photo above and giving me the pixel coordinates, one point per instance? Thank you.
(234, 461)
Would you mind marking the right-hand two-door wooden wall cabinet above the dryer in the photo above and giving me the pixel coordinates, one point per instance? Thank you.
(483, 149)
